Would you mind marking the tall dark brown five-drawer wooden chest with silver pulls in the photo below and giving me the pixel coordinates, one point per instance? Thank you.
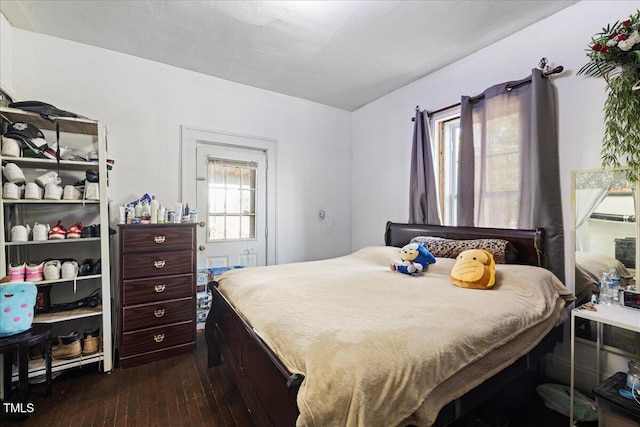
(157, 292)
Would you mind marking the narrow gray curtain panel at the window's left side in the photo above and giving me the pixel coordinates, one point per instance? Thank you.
(423, 198)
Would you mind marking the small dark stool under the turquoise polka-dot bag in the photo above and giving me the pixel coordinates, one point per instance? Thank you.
(39, 333)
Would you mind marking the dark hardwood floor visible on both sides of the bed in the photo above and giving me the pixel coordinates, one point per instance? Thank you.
(181, 391)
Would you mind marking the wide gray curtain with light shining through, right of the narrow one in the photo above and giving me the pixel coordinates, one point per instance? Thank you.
(528, 108)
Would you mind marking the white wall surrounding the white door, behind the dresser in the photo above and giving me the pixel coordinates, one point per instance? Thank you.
(144, 103)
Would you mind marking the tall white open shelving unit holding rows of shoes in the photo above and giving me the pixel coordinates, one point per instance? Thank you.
(81, 135)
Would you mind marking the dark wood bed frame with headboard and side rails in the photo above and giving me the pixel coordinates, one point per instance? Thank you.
(269, 389)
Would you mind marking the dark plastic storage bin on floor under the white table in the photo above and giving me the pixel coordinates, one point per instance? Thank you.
(613, 409)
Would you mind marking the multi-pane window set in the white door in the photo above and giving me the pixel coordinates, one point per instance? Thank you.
(232, 200)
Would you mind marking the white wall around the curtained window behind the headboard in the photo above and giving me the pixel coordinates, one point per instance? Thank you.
(382, 130)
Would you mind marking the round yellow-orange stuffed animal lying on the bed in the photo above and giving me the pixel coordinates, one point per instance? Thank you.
(474, 268)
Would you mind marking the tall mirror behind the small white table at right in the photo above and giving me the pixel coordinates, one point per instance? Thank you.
(605, 232)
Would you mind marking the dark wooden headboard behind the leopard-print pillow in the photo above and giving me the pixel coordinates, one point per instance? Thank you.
(528, 243)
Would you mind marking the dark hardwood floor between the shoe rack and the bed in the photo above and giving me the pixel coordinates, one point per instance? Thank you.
(179, 391)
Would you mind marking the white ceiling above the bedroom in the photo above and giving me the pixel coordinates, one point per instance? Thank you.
(339, 53)
